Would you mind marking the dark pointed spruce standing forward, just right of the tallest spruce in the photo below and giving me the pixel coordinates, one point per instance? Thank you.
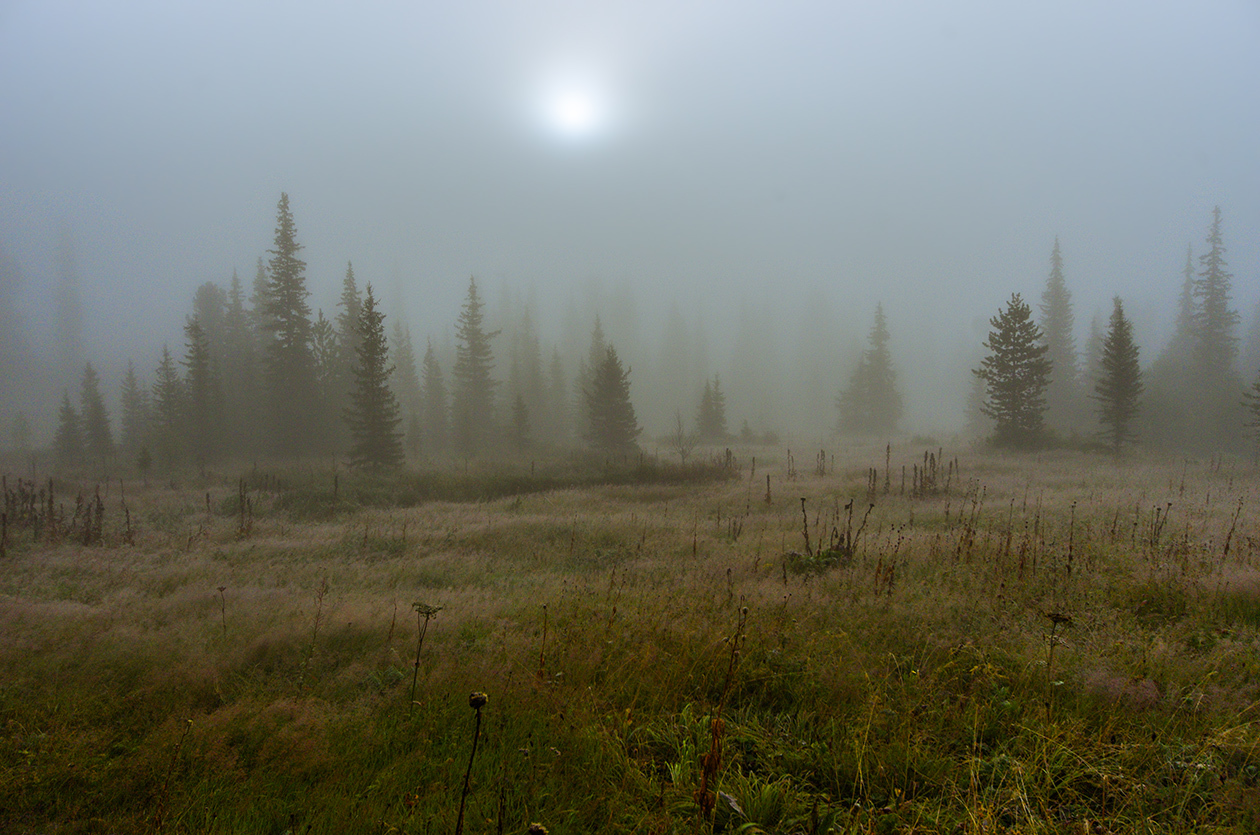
(374, 415)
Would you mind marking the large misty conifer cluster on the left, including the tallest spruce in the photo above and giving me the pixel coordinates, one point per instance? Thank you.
(269, 377)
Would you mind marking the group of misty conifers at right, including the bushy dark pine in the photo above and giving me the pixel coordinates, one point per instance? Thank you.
(1034, 390)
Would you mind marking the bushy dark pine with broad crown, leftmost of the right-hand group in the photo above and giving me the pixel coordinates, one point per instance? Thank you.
(1016, 373)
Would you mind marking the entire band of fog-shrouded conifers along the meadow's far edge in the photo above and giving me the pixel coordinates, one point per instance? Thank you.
(259, 373)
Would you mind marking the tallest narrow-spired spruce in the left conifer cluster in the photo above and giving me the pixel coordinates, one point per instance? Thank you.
(290, 365)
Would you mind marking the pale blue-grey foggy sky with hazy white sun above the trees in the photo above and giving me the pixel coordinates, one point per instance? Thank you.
(745, 179)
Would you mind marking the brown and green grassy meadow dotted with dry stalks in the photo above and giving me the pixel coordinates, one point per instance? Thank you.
(874, 642)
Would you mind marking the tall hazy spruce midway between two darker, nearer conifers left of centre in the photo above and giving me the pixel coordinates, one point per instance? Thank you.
(472, 385)
